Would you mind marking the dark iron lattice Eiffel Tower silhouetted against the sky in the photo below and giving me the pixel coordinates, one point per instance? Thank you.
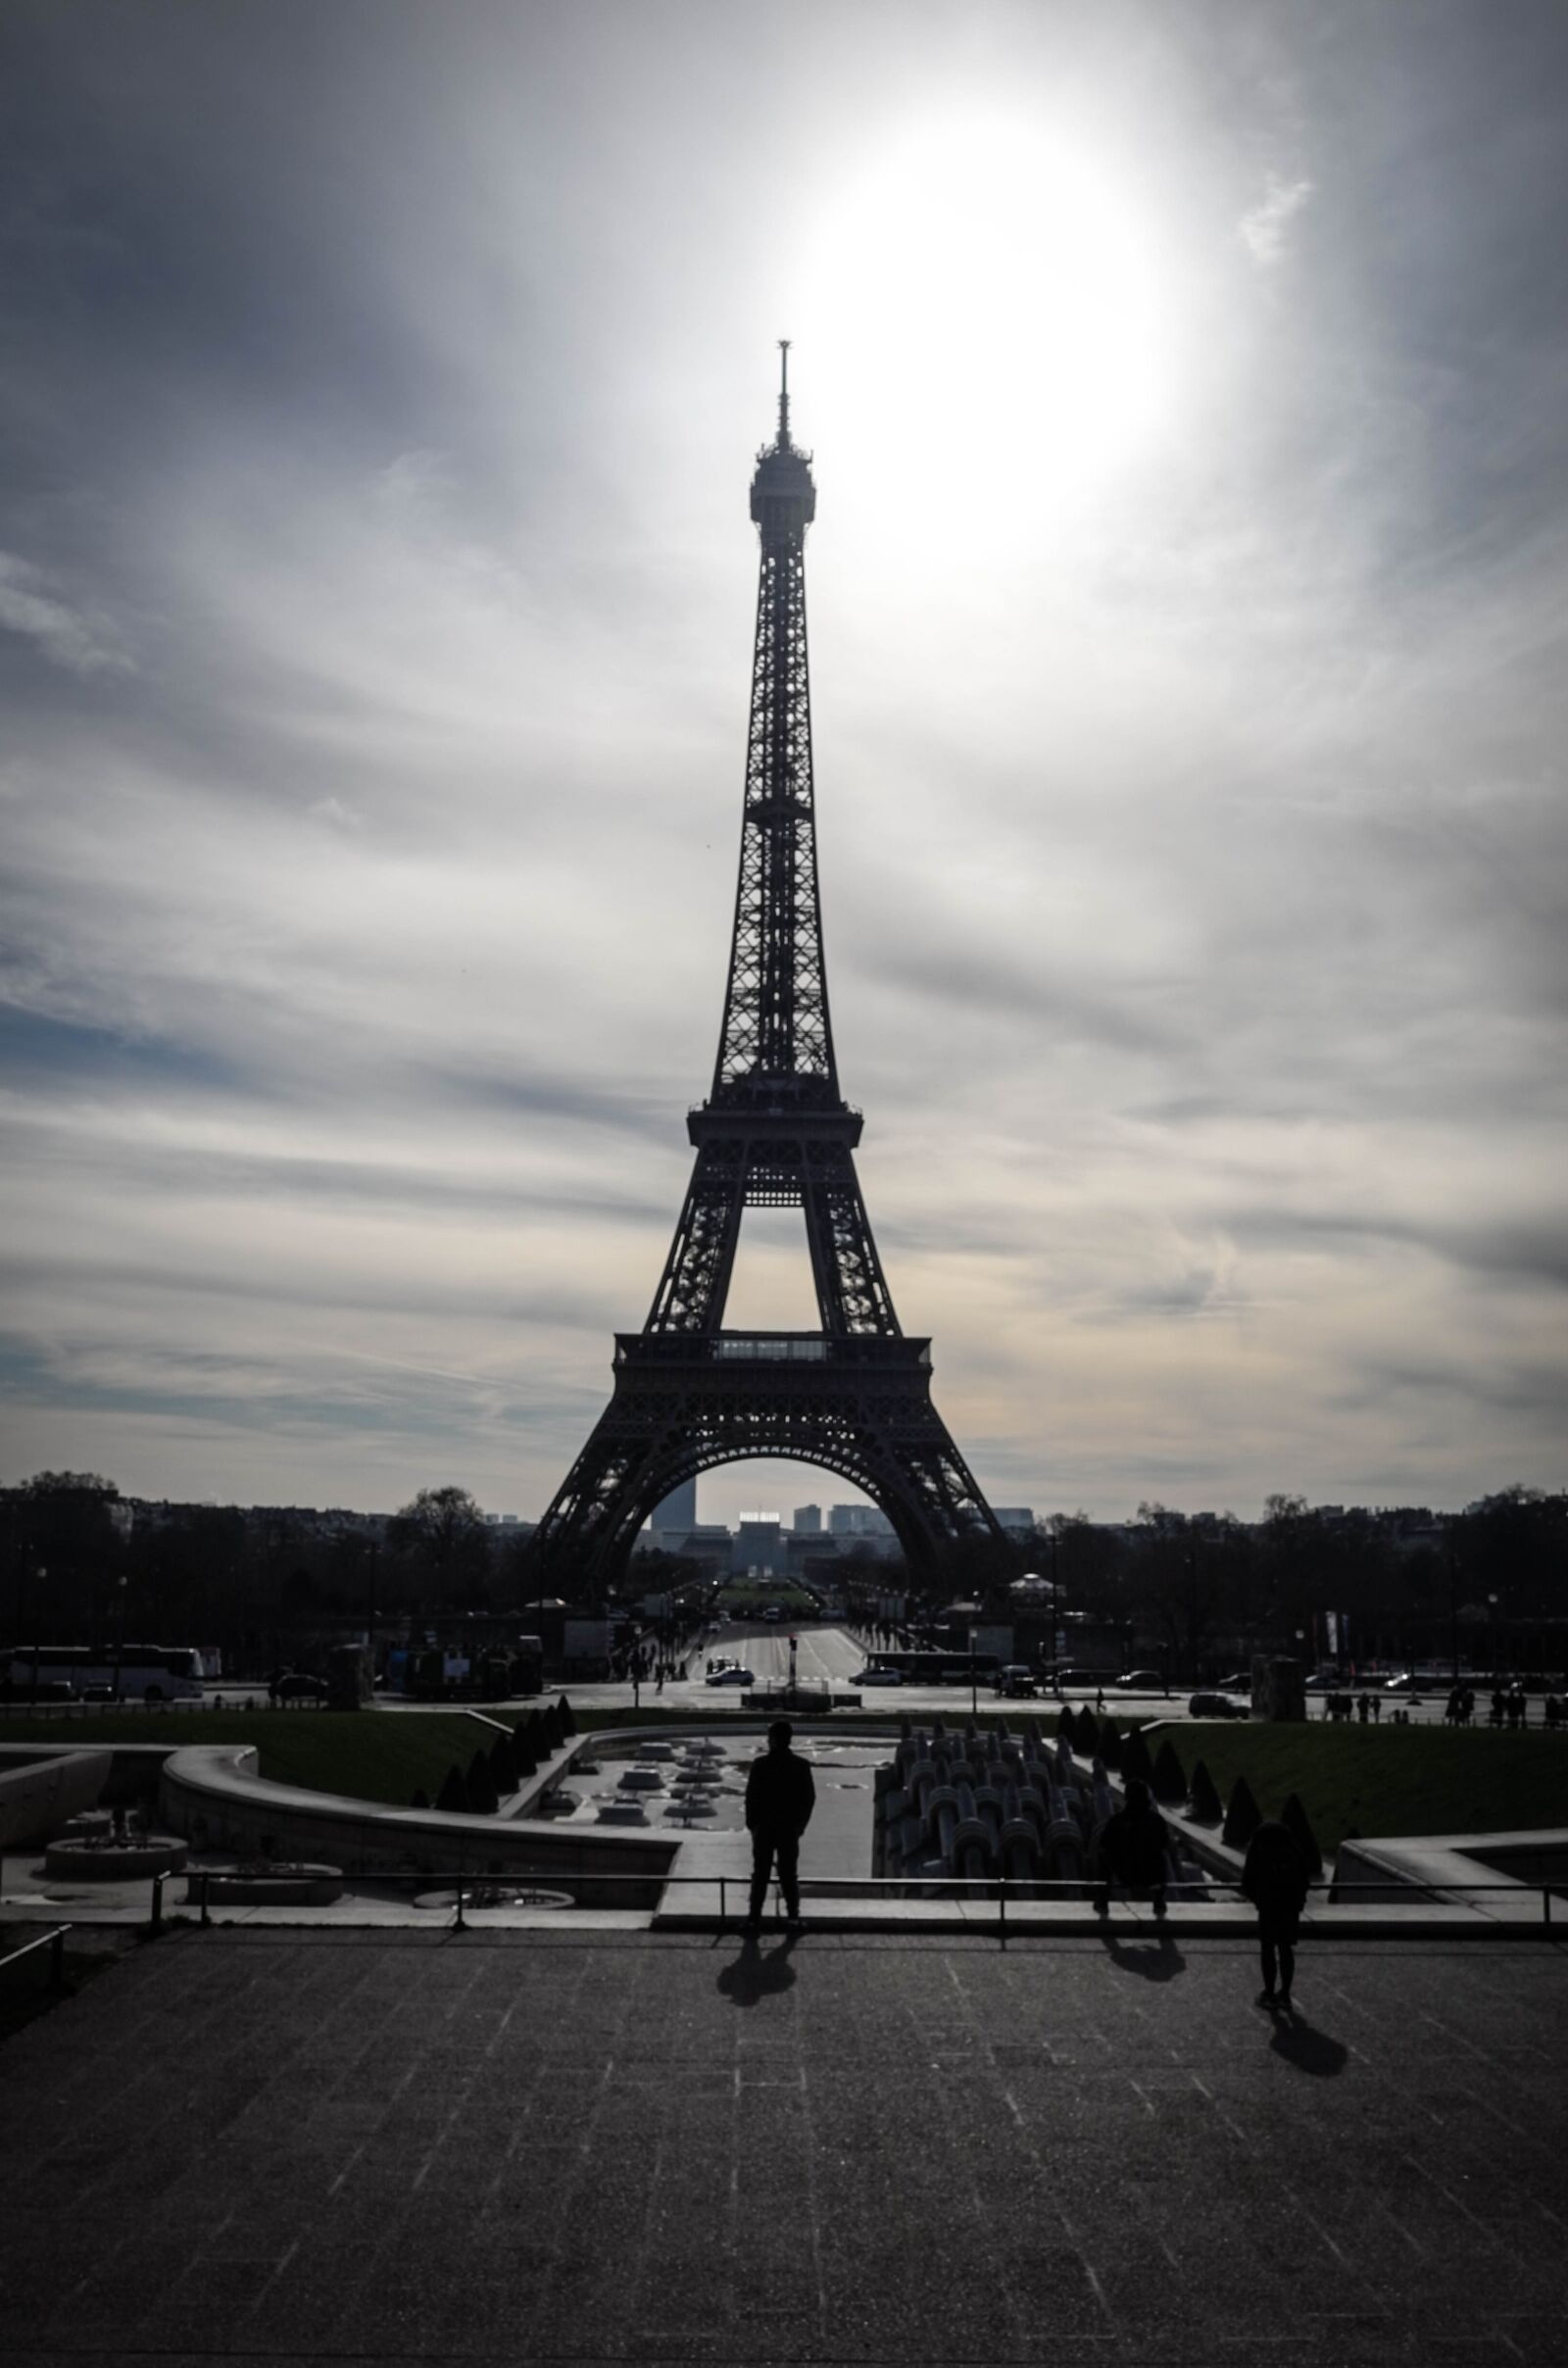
(773, 1133)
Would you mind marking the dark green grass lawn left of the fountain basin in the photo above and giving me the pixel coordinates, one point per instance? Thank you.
(368, 1754)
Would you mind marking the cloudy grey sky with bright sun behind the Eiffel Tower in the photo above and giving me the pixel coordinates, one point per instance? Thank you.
(380, 392)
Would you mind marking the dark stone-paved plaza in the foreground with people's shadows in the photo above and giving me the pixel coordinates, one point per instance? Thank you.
(629, 2147)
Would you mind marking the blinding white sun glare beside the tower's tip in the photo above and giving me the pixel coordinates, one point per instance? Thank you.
(984, 292)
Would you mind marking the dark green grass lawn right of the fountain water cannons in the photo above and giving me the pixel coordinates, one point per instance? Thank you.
(1382, 1780)
